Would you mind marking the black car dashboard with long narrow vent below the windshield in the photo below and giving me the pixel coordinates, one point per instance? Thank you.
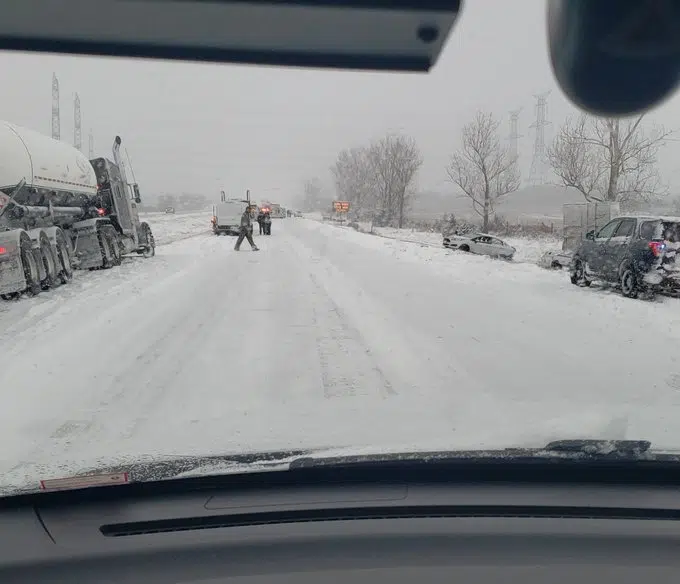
(481, 523)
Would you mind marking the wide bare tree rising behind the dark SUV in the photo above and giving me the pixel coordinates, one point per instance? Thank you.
(609, 159)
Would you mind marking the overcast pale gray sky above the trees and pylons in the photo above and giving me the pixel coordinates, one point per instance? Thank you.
(199, 128)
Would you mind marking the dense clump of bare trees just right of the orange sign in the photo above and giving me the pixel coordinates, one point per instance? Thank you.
(378, 179)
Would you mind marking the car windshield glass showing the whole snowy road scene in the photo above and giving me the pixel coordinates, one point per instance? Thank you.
(266, 264)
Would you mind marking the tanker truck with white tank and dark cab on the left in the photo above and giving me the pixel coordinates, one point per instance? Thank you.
(60, 211)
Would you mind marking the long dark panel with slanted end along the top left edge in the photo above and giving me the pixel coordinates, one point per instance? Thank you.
(403, 35)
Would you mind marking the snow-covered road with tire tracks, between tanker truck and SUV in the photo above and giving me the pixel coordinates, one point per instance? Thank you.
(324, 338)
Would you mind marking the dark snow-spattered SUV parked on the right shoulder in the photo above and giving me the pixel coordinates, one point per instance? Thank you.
(638, 253)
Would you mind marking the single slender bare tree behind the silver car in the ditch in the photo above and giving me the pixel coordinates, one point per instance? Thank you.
(483, 168)
